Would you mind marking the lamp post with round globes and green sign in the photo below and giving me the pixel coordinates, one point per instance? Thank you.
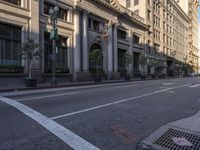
(53, 12)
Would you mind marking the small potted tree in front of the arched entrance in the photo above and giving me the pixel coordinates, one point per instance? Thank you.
(96, 57)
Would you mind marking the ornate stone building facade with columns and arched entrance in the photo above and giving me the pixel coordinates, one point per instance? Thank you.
(80, 24)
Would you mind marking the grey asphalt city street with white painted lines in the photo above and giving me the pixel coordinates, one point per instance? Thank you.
(113, 116)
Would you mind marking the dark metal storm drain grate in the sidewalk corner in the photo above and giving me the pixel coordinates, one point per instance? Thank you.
(166, 140)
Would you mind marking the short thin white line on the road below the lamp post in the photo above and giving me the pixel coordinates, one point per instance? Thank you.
(46, 96)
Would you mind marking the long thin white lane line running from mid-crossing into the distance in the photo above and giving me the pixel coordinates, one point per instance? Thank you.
(117, 102)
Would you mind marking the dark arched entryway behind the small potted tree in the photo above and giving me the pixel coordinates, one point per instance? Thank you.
(92, 65)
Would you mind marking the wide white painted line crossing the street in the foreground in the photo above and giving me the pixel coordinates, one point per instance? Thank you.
(70, 138)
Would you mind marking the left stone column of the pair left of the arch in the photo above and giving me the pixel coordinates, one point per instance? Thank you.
(77, 52)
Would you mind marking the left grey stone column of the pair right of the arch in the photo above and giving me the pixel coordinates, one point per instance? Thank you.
(110, 51)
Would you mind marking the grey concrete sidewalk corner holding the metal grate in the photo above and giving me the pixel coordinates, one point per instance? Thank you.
(187, 130)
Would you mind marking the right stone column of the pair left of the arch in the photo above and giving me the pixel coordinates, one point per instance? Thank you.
(85, 42)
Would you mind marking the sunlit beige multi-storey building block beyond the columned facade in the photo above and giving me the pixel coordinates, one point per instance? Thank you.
(173, 28)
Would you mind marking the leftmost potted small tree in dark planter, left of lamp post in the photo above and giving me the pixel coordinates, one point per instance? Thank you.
(29, 51)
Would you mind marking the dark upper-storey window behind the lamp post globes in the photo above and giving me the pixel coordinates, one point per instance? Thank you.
(62, 12)
